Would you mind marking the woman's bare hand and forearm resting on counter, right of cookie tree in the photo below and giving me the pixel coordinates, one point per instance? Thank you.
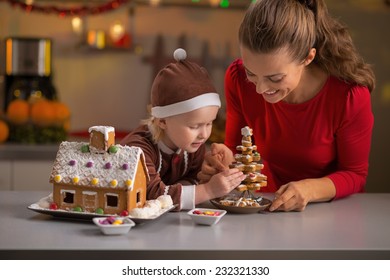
(294, 196)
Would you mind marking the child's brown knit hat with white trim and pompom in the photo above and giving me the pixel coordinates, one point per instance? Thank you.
(182, 87)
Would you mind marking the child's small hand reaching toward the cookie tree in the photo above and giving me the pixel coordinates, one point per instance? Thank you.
(224, 182)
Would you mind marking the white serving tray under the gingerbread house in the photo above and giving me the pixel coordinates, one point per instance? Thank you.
(88, 216)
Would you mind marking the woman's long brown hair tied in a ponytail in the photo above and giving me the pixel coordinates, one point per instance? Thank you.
(298, 26)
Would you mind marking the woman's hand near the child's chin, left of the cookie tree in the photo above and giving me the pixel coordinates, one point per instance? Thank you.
(216, 160)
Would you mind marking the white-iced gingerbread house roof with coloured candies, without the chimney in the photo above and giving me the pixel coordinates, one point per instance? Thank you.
(76, 165)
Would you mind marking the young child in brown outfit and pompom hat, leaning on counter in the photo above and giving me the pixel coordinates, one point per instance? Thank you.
(184, 104)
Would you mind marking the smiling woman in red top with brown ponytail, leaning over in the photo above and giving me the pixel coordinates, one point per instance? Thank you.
(305, 91)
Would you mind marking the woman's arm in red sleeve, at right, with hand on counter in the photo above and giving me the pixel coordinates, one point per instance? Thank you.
(353, 141)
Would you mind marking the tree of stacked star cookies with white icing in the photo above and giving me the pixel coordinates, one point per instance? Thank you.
(248, 161)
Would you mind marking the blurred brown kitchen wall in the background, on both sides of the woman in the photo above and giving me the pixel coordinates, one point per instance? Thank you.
(113, 87)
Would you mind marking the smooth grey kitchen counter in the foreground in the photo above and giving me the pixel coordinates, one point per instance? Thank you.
(357, 227)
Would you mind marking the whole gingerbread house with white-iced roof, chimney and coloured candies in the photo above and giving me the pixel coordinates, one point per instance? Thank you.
(99, 176)
